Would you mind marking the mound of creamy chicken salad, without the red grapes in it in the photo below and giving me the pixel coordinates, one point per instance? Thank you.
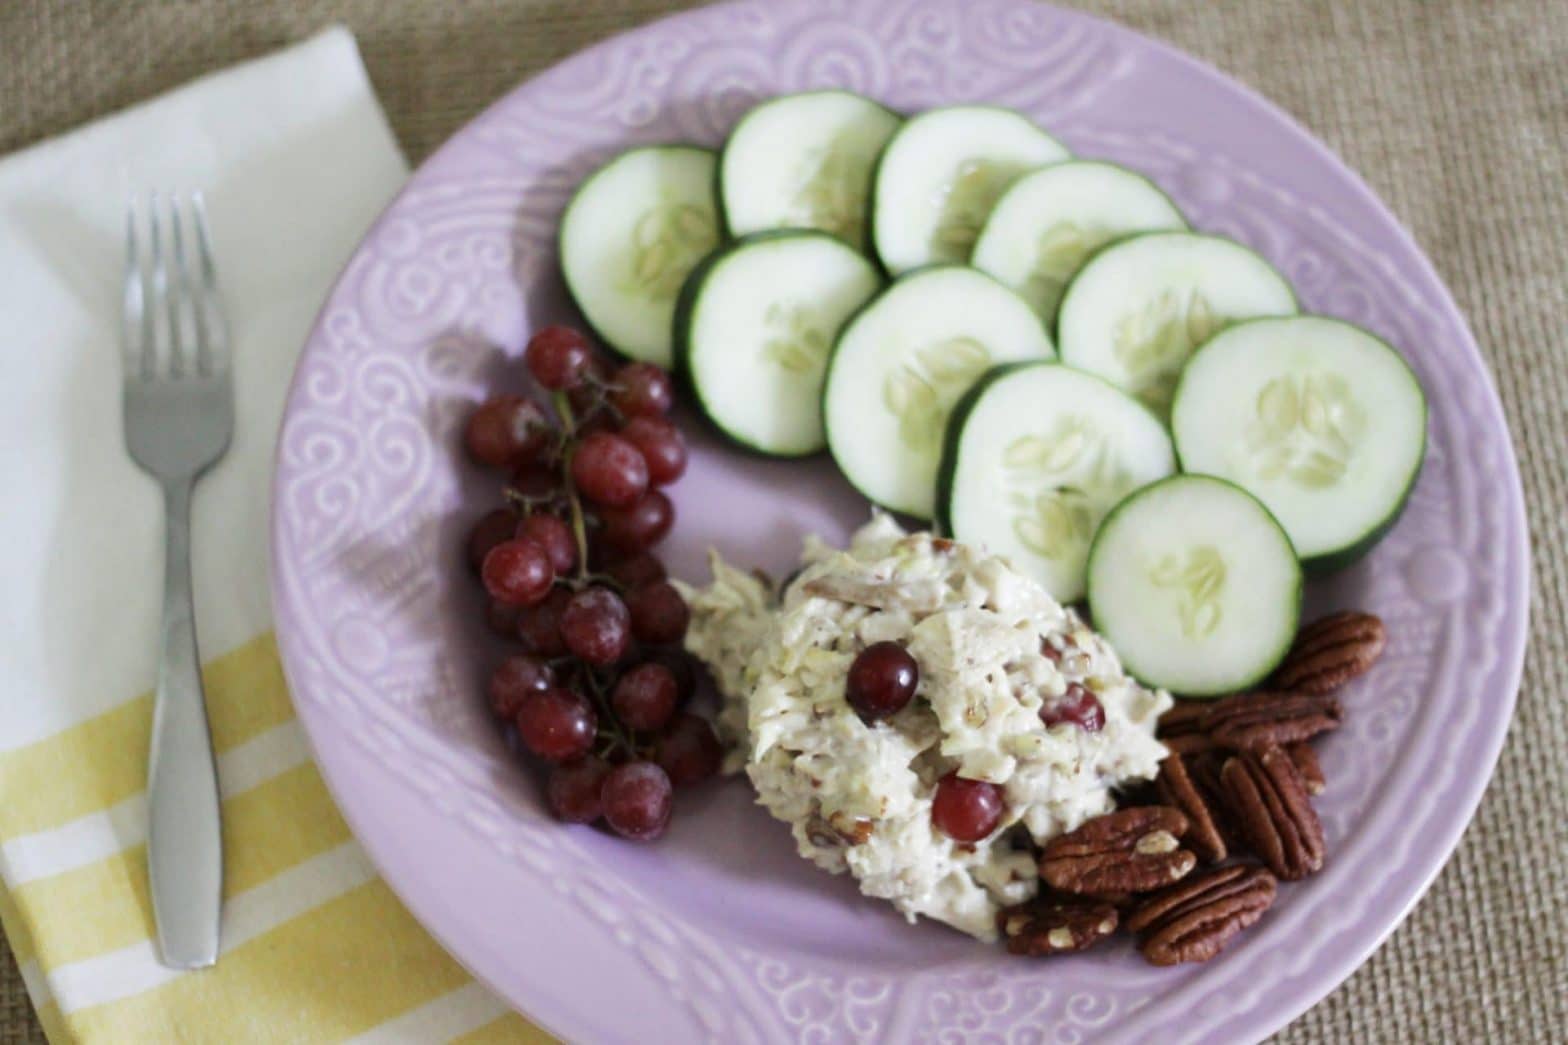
(993, 650)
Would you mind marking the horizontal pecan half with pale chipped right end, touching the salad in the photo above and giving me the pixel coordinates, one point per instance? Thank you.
(1128, 851)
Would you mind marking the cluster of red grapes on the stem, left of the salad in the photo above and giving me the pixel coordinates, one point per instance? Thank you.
(601, 685)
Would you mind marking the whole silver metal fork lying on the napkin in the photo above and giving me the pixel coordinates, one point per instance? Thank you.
(180, 418)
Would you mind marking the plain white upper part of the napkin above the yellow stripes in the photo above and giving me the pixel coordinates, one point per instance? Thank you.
(296, 158)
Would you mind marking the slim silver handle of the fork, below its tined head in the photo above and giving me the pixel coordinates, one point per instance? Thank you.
(184, 834)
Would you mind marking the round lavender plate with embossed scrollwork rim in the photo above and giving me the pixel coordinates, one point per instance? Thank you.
(720, 933)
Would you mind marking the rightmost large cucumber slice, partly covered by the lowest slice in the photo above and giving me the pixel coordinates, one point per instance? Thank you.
(1316, 418)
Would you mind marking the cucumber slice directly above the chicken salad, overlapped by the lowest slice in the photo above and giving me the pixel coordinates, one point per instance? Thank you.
(1036, 457)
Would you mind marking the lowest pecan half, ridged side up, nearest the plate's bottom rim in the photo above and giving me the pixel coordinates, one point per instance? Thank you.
(1194, 920)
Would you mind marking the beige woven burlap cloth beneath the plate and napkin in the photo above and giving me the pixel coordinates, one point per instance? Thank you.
(1454, 111)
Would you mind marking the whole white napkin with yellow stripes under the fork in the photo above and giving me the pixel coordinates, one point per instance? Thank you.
(297, 159)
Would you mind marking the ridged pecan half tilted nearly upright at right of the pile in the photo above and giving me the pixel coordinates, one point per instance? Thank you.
(1274, 812)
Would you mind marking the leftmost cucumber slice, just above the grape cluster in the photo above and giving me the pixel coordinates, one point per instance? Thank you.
(630, 238)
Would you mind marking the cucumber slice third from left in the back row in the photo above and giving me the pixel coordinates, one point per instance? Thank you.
(940, 177)
